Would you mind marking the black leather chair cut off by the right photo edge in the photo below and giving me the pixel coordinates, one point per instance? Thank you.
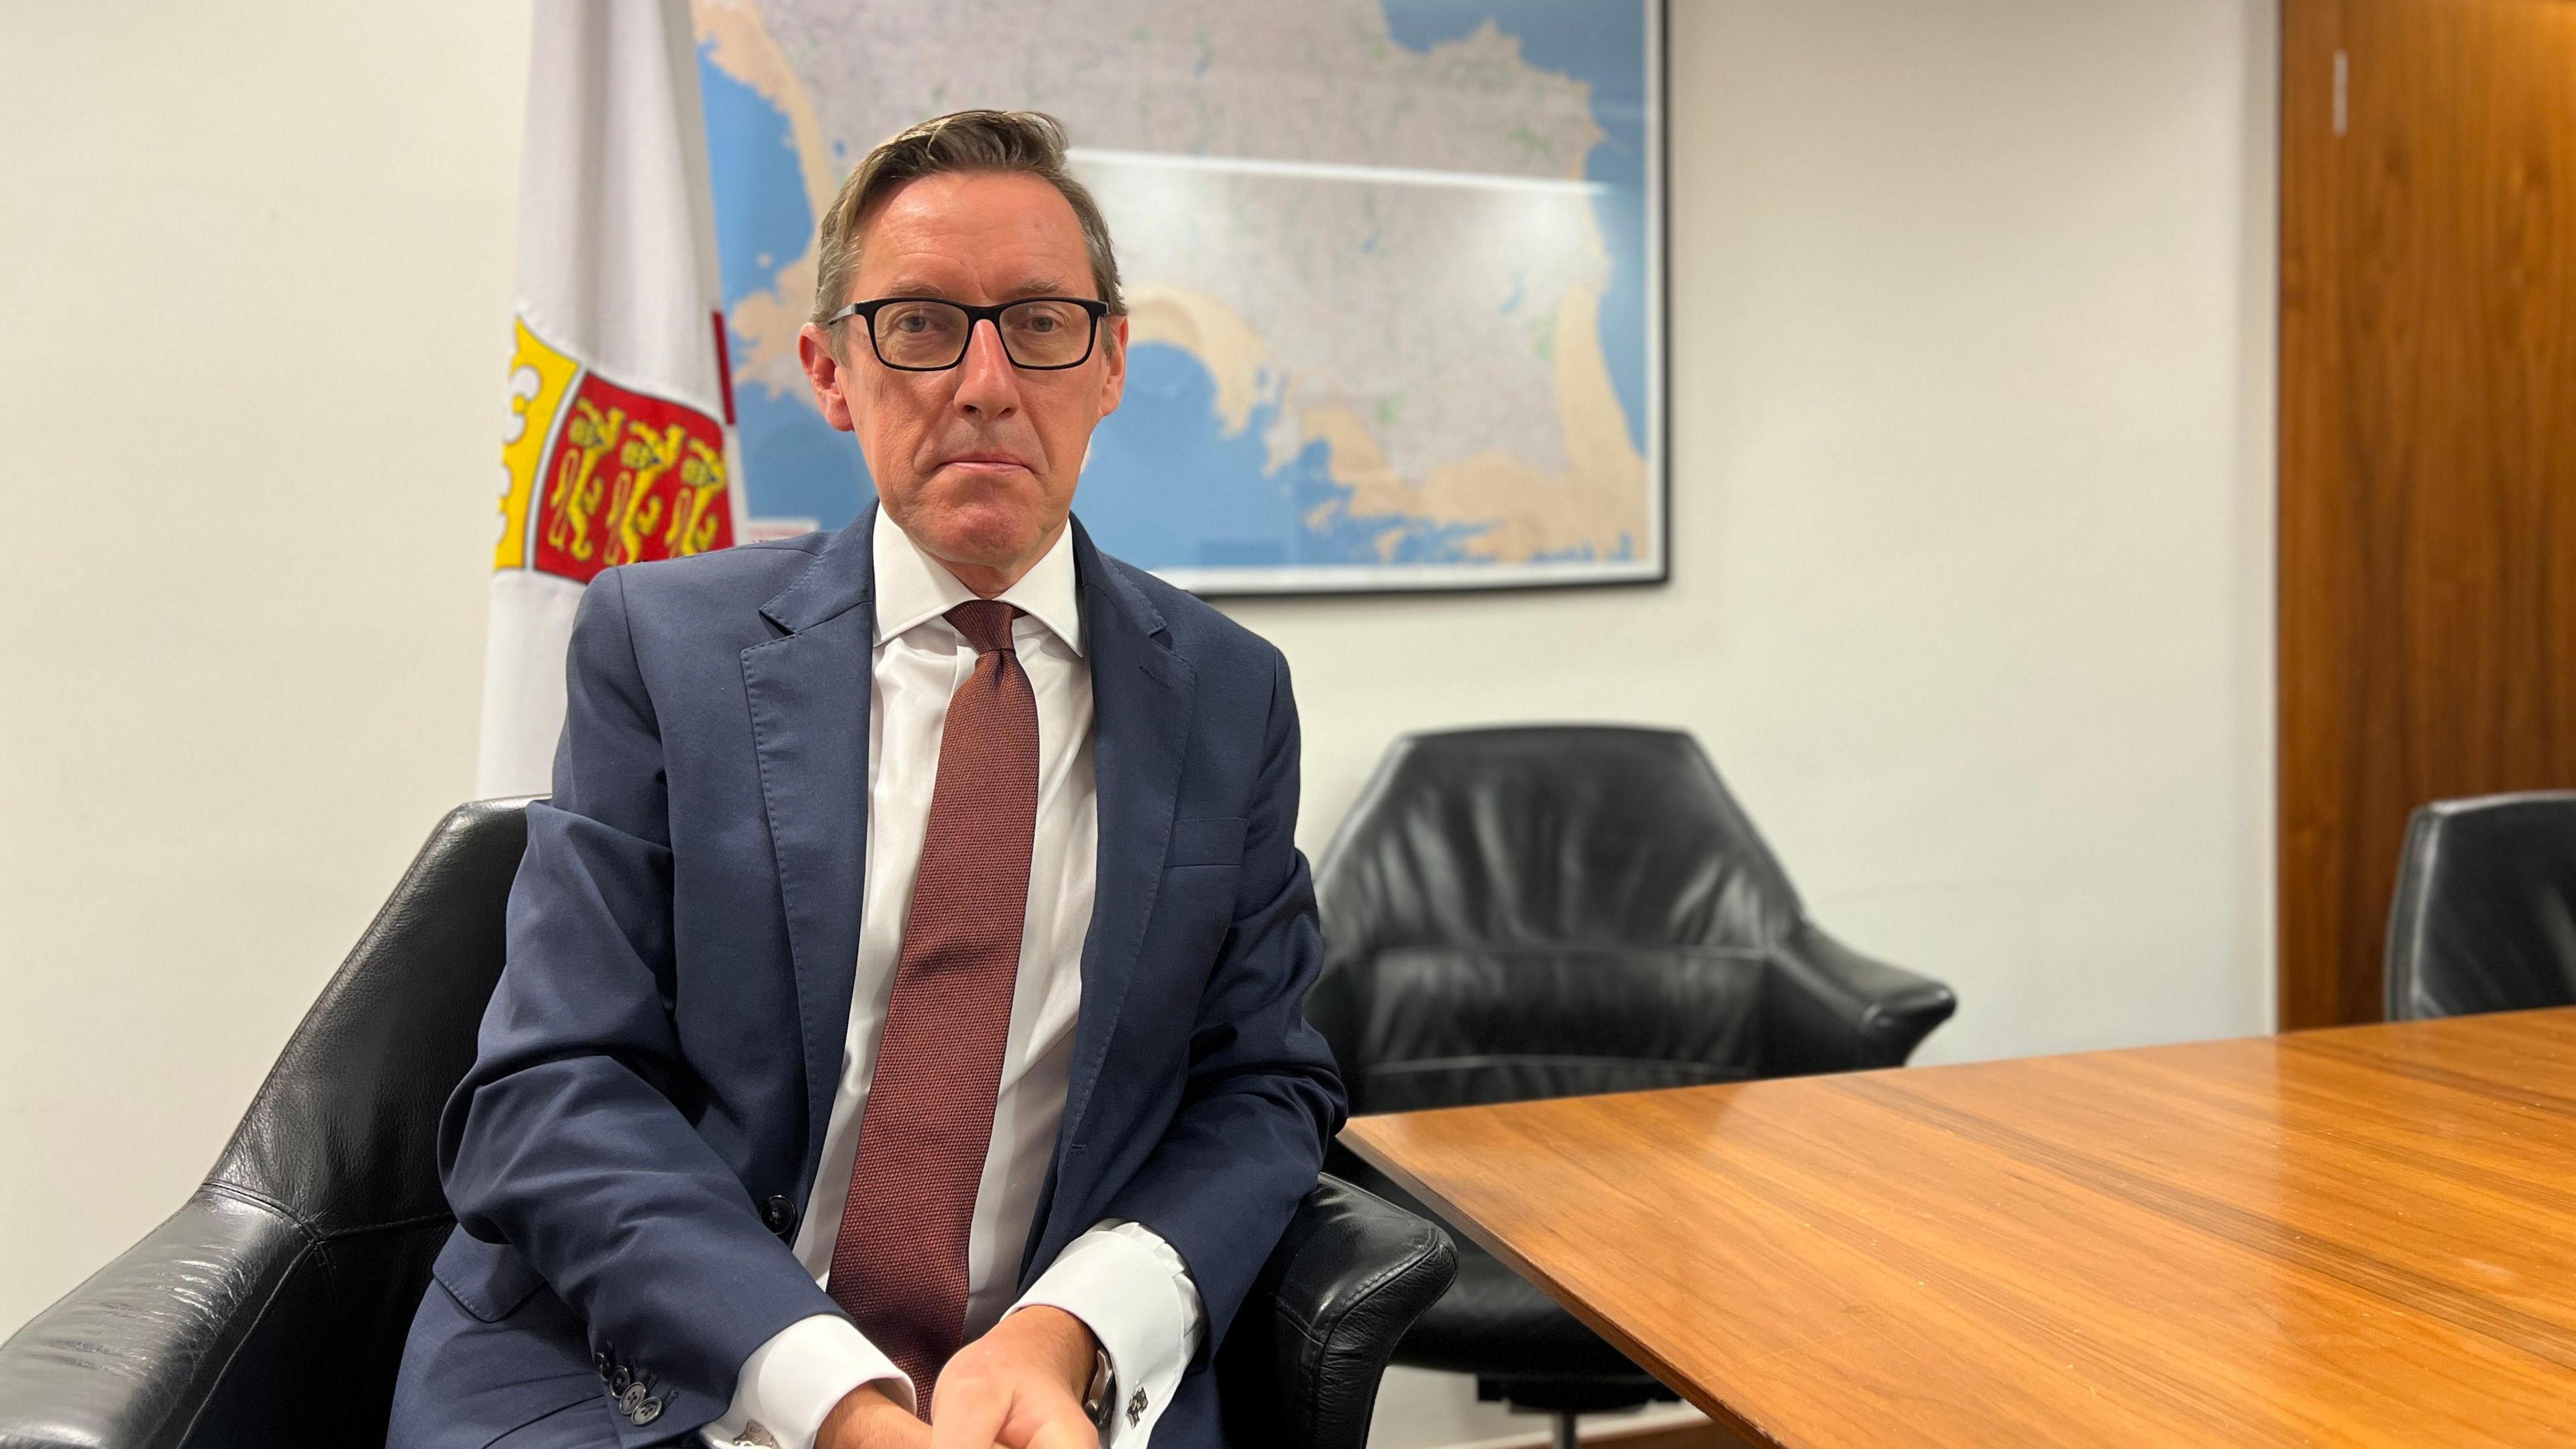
(2487, 906)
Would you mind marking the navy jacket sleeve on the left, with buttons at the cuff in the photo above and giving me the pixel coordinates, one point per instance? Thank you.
(573, 1138)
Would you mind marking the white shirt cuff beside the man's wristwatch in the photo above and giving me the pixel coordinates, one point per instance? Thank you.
(1135, 1293)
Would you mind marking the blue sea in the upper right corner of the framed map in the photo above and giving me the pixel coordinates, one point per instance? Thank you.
(1604, 45)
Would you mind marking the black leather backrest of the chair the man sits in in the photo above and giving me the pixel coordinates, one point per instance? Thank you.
(344, 1133)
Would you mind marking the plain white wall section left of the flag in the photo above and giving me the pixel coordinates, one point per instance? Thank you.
(254, 313)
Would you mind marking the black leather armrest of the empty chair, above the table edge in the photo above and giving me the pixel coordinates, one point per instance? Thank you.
(1846, 1012)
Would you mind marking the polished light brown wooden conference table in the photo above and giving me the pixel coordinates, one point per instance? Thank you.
(2356, 1236)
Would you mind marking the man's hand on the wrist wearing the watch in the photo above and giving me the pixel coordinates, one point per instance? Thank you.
(1019, 1386)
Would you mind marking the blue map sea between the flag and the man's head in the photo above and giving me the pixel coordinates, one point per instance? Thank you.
(795, 465)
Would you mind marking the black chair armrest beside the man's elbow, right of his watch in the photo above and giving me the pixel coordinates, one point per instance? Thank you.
(1305, 1355)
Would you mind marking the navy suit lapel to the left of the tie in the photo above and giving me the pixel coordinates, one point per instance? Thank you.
(810, 728)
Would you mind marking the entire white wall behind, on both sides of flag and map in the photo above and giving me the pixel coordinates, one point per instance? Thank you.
(1972, 530)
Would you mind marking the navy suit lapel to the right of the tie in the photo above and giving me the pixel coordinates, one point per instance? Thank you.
(1142, 697)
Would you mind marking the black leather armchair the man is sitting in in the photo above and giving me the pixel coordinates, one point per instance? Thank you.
(269, 1311)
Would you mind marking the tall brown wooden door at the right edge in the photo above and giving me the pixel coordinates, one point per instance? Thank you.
(2428, 447)
